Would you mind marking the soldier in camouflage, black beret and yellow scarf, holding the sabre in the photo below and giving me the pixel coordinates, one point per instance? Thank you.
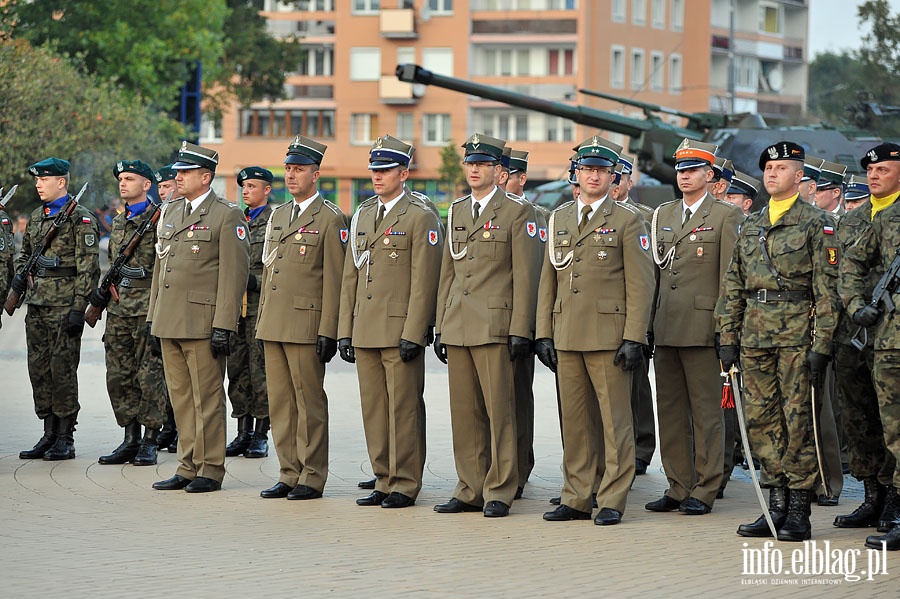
(779, 312)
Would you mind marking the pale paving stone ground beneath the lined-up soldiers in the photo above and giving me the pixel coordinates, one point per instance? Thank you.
(79, 529)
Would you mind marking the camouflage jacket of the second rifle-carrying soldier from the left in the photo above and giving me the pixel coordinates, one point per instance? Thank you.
(134, 292)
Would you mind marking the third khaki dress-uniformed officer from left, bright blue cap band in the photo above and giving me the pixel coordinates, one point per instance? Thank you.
(389, 290)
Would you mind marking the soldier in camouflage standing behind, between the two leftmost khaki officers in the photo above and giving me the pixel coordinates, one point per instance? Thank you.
(247, 364)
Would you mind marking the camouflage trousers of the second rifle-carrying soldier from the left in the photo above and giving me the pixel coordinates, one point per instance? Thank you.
(134, 376)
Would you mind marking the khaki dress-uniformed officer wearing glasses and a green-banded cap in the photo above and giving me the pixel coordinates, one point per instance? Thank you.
(594, 304)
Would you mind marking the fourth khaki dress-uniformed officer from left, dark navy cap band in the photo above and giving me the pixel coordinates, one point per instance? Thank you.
(485, 319)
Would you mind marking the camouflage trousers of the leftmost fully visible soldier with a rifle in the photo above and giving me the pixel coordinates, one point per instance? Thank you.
(53, 359)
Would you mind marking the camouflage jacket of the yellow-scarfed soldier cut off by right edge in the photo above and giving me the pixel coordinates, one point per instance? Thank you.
(863, 265)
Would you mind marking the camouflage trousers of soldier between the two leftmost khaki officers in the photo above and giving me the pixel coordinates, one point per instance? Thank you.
(247, 373)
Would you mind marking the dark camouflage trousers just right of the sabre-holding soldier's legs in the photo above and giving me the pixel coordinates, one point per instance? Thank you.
(868, 455)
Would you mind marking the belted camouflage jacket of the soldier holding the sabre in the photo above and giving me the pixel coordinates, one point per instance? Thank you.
(804, 254)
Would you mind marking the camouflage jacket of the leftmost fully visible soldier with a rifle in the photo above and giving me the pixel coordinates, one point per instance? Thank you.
(77, 247)
